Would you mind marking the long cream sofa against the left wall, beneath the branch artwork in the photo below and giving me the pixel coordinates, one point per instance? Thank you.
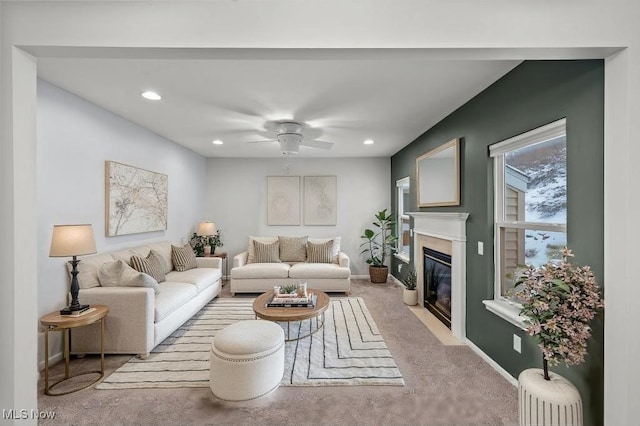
(140, 318)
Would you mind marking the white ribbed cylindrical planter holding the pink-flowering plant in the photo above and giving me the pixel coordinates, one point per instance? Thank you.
(554, 402)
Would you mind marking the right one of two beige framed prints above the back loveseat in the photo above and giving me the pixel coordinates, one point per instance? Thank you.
(320, 200)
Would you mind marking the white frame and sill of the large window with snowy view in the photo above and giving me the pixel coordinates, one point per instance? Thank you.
(500, 305)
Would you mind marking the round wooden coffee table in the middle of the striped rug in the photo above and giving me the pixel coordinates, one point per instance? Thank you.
(293, 314)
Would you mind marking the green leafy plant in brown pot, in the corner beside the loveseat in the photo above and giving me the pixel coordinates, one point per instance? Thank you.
(378, 244)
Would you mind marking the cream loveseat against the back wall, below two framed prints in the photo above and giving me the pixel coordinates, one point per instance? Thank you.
(249, 276)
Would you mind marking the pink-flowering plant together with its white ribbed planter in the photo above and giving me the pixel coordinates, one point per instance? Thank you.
(559, 300)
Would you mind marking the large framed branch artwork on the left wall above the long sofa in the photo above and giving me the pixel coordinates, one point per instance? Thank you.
(136, 200)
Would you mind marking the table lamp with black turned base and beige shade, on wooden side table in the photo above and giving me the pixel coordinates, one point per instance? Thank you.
(72, 240)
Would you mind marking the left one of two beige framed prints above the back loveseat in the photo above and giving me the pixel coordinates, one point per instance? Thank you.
(283, 200)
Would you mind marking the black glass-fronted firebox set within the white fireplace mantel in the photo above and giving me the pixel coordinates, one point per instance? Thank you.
(437, 284)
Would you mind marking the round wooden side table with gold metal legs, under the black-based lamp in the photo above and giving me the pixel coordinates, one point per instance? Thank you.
(56, 322)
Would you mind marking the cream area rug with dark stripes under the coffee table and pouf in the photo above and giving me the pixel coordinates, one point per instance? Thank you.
(348, 350)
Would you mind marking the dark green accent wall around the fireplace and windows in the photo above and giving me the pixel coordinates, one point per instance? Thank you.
(531, 95)
